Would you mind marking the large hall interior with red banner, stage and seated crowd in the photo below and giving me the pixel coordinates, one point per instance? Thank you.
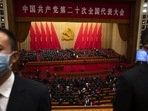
(78, 48)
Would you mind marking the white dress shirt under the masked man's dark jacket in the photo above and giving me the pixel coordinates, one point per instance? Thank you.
(5, 90)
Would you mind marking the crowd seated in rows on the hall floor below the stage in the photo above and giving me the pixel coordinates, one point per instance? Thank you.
(81, 91)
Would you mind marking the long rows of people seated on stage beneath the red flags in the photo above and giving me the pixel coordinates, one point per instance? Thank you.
(66, 54)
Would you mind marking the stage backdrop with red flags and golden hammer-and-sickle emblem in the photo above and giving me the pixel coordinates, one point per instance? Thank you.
(77, 35)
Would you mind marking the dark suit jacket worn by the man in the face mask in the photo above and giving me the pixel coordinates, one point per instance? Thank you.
(28, 95)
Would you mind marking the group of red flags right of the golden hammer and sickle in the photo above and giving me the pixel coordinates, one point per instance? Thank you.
(90, 38)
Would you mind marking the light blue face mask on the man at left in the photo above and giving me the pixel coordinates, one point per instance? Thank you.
(4, 63)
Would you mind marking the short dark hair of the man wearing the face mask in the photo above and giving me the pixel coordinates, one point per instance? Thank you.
(11, 37)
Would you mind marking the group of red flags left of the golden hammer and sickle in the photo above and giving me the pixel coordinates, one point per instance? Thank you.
(43, 38)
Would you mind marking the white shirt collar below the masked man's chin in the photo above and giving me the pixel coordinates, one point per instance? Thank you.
(5, 88)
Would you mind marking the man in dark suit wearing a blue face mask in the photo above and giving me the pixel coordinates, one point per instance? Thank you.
(16, 93)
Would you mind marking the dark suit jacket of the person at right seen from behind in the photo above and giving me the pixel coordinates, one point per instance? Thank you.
(132, 90)
